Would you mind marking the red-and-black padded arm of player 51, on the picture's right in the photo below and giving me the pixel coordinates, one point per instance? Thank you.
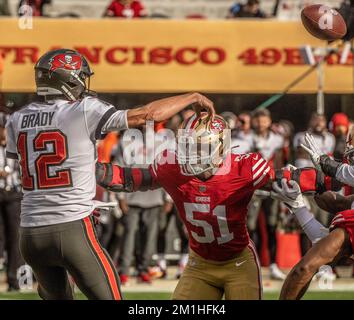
(310, 180)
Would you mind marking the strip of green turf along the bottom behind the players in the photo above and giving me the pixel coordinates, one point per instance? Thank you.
(328, 295)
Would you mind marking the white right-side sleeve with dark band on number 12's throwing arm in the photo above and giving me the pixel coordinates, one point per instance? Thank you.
(102, 117)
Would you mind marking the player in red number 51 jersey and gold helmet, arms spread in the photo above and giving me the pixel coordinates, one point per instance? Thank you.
(211, 187)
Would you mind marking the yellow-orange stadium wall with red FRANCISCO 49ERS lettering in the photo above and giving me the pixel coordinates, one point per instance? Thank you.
(147, 56)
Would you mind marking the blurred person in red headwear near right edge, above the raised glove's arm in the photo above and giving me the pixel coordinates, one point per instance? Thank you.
(339, 127)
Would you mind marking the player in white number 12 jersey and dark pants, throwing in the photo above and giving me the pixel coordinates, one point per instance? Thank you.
(54, 141)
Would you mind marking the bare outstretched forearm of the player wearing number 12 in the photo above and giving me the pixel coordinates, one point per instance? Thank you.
(162, 109)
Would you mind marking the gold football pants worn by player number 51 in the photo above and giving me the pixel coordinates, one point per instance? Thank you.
(237, 279)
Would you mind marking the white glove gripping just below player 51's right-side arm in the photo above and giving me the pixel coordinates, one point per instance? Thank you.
(289, 193)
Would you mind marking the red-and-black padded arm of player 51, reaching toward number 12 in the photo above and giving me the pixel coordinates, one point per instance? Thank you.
(119, 179)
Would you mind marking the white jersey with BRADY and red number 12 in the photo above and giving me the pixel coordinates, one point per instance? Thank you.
(55, 144)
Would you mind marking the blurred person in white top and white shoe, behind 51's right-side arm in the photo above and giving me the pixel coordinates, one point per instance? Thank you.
(269, 145)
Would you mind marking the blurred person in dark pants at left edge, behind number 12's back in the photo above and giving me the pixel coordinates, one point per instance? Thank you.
(10, 209)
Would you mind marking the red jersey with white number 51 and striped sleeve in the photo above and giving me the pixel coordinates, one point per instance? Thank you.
(215, 211)
